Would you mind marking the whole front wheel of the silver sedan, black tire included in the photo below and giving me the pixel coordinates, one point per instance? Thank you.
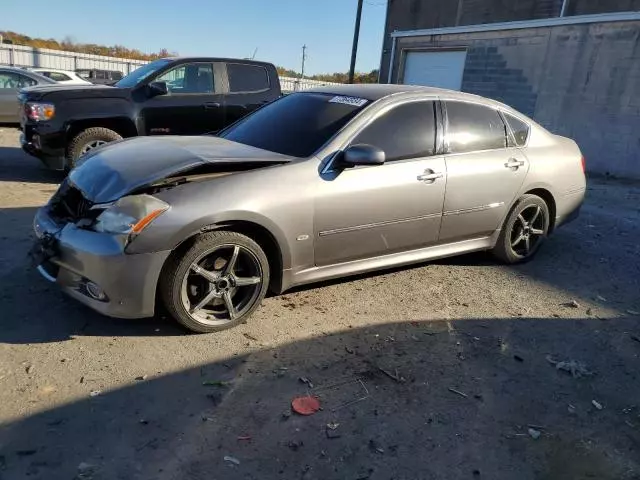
(216, 283)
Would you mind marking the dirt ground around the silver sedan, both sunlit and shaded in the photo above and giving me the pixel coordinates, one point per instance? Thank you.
(442, 371)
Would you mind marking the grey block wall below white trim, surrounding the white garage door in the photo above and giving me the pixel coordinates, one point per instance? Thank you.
(581, 81)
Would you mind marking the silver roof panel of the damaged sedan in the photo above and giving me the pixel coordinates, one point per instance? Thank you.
(376, 91)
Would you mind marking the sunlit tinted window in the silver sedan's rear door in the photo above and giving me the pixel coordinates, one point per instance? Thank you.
(474, 127)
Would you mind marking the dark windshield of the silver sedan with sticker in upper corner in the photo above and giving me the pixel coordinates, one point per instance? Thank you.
(297, 124)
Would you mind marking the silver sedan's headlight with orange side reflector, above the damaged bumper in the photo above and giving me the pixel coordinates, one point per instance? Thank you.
(129, 215)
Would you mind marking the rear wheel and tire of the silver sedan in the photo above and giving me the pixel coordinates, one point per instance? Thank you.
(524, 231)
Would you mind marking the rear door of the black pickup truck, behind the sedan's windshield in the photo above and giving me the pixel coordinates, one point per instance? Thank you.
(249, 88)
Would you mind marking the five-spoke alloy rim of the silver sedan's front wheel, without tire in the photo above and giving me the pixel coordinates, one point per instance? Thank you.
(222, 284)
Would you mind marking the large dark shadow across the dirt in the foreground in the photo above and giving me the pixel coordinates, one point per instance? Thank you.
(441, 400)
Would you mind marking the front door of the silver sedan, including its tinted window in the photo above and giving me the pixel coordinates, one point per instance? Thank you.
(367, 211)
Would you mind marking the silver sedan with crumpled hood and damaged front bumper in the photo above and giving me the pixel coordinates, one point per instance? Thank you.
(316, 185)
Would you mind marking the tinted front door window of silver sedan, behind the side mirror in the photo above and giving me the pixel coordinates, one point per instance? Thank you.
(406, 131)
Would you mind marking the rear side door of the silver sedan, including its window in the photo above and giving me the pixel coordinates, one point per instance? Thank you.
(484, 173)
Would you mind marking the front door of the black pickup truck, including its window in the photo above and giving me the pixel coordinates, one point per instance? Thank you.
(192, 106)
